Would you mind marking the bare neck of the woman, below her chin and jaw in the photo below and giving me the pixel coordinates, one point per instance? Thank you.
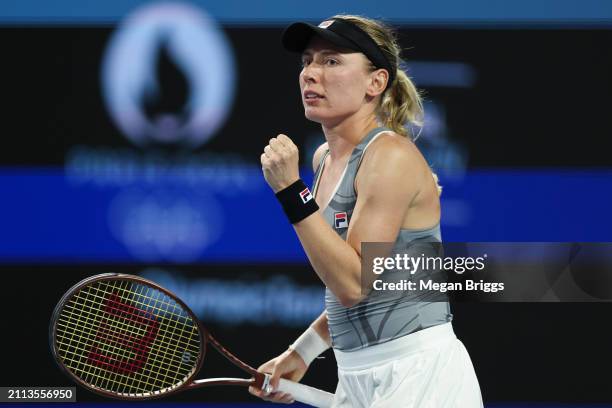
(344, 136)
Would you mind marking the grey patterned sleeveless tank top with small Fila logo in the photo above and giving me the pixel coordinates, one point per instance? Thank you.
(379, 317)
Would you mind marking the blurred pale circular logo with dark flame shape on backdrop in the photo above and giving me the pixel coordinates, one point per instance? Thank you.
(168, 40)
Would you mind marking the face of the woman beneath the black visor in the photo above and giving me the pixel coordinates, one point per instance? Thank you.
(333, 82)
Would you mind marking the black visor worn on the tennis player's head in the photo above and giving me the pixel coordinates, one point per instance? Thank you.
(341, 33)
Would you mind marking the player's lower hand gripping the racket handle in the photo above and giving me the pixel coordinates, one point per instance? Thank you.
(288, 365)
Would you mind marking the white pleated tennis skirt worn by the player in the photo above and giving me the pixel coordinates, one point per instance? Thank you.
(427, 369)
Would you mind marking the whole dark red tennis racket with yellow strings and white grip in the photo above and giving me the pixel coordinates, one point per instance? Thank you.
(126, 337)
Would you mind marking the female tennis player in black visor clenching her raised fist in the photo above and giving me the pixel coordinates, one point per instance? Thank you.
(372, 185)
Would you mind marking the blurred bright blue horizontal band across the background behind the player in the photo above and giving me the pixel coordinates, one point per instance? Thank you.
(56, 216)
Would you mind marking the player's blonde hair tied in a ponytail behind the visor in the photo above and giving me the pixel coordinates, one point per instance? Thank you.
(401, 105)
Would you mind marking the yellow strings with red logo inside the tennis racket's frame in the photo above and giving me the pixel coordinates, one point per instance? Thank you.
(127, 338)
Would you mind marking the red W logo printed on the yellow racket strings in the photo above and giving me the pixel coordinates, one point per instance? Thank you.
(113, 335)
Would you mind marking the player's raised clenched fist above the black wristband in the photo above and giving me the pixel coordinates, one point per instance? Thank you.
(279, 163)
